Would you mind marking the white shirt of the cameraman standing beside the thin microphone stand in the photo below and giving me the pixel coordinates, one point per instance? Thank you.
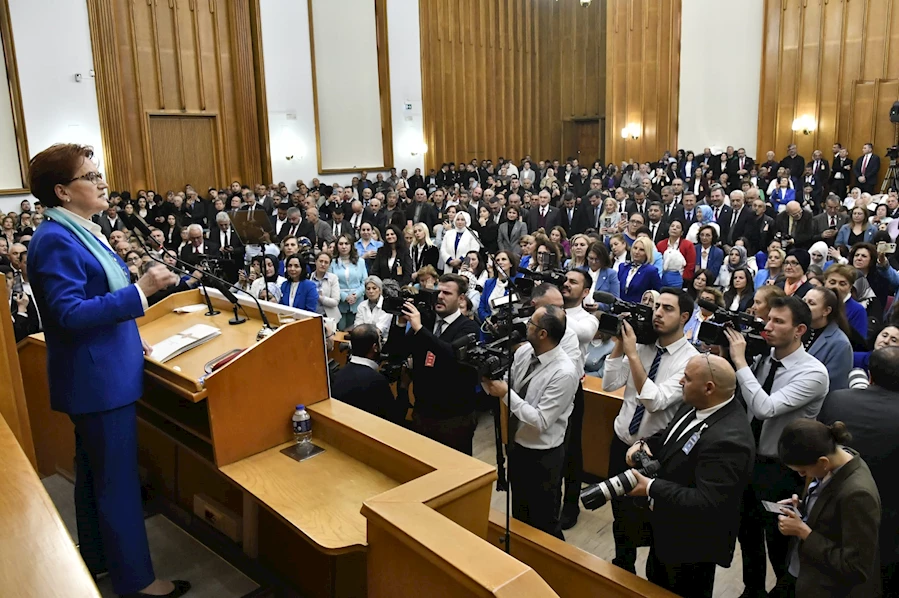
(549, 400)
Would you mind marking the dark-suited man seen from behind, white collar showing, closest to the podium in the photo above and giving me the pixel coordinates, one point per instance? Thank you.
(360, 383)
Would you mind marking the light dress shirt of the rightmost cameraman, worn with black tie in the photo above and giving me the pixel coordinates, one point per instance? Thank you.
(798, 391)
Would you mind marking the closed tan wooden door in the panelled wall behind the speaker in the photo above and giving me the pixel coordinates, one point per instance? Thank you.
(184, 152)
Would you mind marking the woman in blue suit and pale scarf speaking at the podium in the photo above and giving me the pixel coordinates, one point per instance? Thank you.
(95, 363)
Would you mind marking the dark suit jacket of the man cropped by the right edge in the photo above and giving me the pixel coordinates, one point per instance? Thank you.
(872, 416)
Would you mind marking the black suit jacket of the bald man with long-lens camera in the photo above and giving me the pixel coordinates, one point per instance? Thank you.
(697, 495)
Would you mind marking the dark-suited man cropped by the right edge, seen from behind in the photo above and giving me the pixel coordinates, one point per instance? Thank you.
(872, 417)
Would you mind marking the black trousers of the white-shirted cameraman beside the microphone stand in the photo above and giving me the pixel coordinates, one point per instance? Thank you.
(536, 479)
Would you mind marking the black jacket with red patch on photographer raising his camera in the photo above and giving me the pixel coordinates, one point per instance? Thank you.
(443, 388)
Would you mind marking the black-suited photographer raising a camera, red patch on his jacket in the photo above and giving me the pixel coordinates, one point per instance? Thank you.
(444, 391)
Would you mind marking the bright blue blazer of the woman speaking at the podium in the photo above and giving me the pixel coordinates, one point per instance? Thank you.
(95, 360)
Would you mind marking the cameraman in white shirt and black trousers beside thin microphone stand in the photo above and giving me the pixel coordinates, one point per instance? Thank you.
(543, 385)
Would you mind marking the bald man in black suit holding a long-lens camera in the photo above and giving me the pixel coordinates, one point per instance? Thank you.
(706, 452)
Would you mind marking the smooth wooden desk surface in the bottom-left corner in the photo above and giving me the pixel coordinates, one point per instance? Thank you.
(37, 556)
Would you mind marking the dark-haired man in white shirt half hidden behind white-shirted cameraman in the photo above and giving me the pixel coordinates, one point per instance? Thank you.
(576, 288)
